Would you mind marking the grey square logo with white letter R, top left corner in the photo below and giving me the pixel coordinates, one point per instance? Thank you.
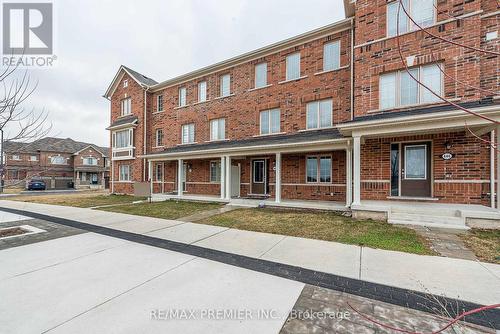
(27, 28)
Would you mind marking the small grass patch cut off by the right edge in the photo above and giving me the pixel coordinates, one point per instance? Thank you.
(484, 243)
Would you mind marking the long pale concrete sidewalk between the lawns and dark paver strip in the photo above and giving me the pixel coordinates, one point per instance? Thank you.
(454, 278)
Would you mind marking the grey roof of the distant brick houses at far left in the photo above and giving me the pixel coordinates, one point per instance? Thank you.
(51, 144)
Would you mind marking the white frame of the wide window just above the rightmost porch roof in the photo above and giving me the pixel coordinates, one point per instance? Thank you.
(420, 89)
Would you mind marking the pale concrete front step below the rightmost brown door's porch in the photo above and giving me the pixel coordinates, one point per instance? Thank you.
(427, 220)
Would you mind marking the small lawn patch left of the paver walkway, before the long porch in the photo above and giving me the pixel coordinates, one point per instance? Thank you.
(167, 210)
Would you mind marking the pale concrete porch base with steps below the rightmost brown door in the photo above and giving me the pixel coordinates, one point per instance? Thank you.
(457, 216)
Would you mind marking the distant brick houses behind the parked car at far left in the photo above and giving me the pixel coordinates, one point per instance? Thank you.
(61, 162)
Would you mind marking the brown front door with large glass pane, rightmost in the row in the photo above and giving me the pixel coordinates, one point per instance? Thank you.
(416, 170)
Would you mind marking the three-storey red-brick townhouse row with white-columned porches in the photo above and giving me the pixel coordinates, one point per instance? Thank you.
(330, 116)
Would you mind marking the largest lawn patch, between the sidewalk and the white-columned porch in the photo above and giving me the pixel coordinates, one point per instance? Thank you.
(329, 226)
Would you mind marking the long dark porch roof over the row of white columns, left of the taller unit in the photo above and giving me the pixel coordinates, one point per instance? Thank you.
(325, 136)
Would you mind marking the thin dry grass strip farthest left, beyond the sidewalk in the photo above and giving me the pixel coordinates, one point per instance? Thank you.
(81, 200)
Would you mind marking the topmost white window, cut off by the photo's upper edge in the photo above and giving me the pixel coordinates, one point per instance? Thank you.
(422, 12)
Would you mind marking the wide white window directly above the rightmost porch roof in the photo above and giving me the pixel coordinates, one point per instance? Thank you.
(399, 89)
